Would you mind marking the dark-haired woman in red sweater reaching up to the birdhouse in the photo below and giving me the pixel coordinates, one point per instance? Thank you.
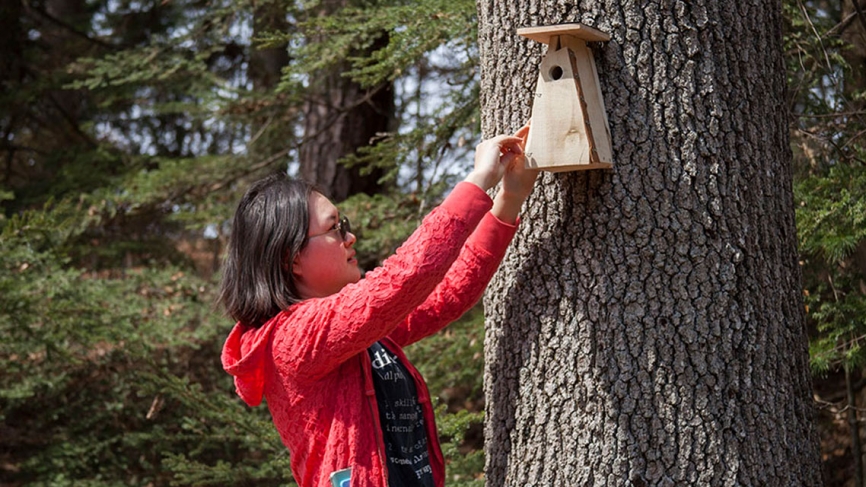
(324, 346)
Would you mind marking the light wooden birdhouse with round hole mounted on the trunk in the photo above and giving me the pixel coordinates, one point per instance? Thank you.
(569, 130)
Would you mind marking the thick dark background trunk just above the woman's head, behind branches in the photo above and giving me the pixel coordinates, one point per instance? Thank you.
(340, 118)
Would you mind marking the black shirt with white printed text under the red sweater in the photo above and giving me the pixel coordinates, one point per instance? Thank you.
(402, 421)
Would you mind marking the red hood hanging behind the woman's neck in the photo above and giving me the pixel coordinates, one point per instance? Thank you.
(243, 357)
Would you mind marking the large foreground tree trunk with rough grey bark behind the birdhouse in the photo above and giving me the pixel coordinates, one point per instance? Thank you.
(646, 327)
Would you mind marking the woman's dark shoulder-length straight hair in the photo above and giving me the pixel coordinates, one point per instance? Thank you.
(268, 230)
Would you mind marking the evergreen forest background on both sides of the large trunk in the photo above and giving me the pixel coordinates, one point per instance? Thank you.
(131, 128)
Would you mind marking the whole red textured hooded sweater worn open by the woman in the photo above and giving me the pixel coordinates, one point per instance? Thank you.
(310, 362)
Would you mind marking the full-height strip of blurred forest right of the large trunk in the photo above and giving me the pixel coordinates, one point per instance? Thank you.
(826, 53)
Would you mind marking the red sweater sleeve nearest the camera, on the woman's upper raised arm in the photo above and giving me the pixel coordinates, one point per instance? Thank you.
(317, 335)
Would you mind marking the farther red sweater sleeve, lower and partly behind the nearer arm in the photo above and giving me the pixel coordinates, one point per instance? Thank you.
(464, 284)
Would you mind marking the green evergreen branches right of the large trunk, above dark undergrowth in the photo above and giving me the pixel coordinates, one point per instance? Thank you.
(830, 179)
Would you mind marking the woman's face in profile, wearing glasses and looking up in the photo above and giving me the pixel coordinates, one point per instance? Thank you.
(327, 263)
